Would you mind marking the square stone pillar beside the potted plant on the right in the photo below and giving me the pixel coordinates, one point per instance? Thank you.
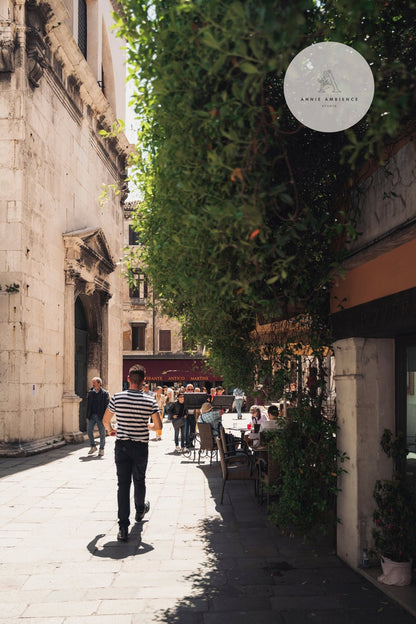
(365, 393)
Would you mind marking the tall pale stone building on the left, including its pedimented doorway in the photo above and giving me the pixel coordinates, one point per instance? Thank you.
(61, 82)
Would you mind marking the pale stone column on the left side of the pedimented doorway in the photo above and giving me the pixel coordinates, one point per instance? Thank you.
(70, 400)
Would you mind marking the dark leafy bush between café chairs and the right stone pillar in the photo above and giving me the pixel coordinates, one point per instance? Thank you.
(310, 465)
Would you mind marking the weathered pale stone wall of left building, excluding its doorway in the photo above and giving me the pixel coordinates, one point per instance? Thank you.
(53, 164)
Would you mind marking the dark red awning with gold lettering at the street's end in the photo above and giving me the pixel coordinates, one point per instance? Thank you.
(180, 370)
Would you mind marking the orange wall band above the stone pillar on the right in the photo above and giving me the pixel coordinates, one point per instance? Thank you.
(390, 273)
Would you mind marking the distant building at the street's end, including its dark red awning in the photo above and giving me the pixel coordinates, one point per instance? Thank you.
(151, 339)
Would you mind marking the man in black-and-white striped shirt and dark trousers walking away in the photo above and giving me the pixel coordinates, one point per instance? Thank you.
(133, 410)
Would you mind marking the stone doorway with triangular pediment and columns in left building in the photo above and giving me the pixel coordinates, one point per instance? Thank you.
(88, 263)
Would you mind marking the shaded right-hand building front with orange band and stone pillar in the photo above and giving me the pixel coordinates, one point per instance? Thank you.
(374, 324)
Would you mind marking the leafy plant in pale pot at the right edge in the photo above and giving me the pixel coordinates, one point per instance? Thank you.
(394, 518)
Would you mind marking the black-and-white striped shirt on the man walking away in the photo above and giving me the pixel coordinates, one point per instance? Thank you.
(133, 410)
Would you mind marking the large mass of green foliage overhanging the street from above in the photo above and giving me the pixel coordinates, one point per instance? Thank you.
(245, 212)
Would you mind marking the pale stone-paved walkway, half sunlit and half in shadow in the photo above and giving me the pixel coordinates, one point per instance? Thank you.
(192, 561)
